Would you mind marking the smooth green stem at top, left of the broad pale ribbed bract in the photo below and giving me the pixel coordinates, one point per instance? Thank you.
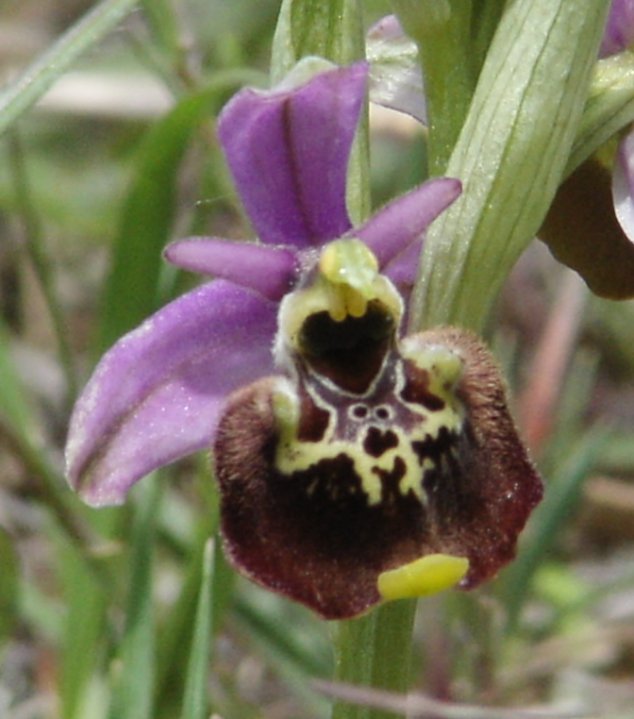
(441, 29)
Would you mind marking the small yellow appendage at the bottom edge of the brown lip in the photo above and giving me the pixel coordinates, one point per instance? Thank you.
(427, 575)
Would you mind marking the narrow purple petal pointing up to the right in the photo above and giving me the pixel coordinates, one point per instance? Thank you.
(403, 220)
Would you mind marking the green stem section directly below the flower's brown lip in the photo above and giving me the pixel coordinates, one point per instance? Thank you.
(375, 651)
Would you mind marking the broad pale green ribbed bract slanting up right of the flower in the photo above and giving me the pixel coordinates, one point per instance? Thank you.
(510, 156)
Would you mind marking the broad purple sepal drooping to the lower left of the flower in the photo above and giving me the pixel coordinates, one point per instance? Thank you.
(156, 395)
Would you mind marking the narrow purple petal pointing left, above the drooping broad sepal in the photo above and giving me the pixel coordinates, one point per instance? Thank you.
(270, 271)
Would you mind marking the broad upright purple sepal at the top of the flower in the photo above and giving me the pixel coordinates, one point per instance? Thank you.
(288, 151)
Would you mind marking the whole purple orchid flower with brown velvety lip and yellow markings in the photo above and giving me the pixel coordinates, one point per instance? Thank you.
(354, 465)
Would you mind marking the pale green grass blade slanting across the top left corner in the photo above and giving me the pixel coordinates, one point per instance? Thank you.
(33, 82)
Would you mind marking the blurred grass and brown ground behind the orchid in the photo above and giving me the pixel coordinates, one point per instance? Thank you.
(98, 609)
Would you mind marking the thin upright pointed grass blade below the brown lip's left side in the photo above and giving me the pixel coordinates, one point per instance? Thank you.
(195, 705)
